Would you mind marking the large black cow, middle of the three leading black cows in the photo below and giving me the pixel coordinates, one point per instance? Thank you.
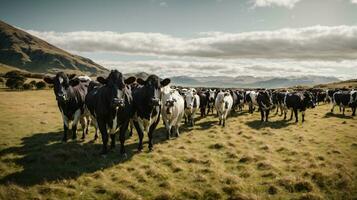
(111, 107)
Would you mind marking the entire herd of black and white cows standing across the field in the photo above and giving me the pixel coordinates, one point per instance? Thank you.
(114, 104)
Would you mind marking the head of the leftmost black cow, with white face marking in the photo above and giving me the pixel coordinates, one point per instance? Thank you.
(60, 82)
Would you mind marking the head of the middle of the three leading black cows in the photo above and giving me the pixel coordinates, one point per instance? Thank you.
(116, 84)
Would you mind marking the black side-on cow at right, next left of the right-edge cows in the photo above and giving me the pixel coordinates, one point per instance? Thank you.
(298, 101)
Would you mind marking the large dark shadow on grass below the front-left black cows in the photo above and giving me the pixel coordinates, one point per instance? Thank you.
(44, 158)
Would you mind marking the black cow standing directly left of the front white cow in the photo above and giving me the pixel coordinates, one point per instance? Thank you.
(147, 107)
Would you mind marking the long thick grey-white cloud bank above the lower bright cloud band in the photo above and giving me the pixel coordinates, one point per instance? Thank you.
(316, 43)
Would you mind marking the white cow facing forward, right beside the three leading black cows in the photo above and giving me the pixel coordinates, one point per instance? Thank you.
(172, 110)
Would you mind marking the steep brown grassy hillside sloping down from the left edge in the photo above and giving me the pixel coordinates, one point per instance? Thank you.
(27, 52)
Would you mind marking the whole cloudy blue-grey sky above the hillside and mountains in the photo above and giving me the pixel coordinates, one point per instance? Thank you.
(199, 37)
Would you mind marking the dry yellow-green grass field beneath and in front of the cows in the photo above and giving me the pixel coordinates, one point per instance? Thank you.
(245, 160)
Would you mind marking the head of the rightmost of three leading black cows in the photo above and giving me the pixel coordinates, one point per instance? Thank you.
(153, 87)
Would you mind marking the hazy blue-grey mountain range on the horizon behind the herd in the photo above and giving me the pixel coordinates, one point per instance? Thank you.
(244, 81)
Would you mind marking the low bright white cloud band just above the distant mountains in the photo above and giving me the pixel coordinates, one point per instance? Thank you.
(237, 67)
